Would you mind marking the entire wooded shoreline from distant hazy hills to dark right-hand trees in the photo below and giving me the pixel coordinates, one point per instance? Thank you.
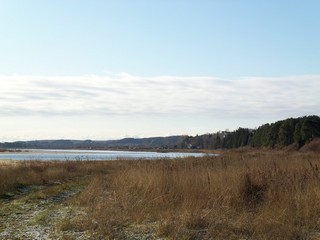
(295, 132)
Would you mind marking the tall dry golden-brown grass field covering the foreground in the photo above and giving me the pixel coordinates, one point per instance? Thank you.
(241, 194)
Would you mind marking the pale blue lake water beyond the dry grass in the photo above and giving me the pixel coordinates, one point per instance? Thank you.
(63, 155)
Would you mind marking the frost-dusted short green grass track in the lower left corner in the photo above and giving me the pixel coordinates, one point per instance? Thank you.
(39, 212)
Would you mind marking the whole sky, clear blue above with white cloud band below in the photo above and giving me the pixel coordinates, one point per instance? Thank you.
(99, 70)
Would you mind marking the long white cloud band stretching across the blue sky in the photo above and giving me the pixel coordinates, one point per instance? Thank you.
(124, 94)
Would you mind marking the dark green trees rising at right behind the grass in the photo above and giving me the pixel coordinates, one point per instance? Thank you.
(282, 133)
